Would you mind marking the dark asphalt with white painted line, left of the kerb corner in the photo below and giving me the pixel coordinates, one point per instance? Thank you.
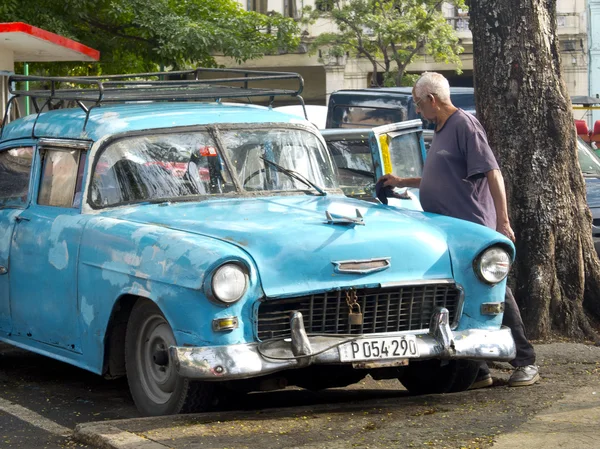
(42, 400)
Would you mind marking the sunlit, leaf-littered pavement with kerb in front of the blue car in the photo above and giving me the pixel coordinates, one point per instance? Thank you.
(562, 411)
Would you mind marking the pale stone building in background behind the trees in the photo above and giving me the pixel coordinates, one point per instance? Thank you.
(326, 76)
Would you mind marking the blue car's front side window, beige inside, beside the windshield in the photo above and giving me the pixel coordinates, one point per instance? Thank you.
(60, 172)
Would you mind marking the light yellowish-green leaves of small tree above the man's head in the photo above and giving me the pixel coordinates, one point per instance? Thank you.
(390, 33)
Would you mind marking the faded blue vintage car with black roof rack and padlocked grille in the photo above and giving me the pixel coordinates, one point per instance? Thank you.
(200, 246)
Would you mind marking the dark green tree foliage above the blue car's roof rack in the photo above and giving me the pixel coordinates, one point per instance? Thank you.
(137, 35)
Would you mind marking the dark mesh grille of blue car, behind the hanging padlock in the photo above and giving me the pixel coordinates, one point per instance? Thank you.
(392, 309)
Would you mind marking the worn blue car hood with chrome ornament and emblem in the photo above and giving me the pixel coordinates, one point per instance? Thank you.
(294, 248)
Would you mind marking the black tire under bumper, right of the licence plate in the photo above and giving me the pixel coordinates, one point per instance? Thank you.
(430, 376)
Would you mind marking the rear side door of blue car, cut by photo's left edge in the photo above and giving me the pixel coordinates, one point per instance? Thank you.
(15, 174)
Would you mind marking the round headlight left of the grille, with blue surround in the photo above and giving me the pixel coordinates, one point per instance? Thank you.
(228, 283)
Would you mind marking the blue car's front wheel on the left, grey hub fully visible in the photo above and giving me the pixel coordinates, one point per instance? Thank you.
(158, 389)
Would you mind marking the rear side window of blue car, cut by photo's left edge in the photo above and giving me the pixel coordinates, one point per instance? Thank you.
(15, 170)
